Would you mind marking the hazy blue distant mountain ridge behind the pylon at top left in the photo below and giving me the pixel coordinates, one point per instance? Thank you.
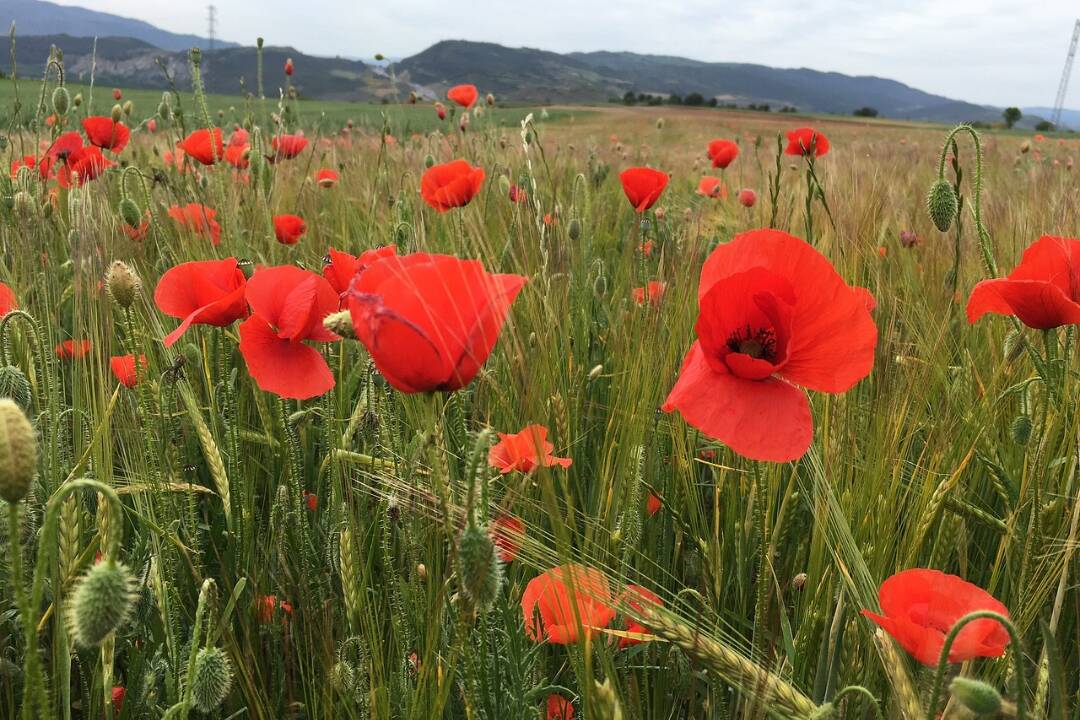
(40, 18)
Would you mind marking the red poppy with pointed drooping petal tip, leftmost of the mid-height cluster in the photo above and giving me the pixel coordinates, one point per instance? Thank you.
(201, 293)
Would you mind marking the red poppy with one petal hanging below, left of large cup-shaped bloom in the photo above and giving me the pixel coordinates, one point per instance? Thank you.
(289, 306)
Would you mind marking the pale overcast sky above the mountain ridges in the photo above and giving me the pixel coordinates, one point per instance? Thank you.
(1001, 52)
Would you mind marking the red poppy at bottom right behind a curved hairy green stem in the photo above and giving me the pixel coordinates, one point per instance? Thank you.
(920, 607)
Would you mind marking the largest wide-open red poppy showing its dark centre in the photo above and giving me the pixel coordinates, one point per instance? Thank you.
(775, 318)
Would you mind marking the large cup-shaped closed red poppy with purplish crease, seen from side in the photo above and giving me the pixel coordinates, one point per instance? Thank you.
(430, 321)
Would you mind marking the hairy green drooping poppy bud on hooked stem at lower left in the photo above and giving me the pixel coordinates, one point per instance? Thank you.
(101, 604)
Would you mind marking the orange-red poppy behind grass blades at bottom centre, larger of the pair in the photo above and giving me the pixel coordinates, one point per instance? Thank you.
(563, 595)
